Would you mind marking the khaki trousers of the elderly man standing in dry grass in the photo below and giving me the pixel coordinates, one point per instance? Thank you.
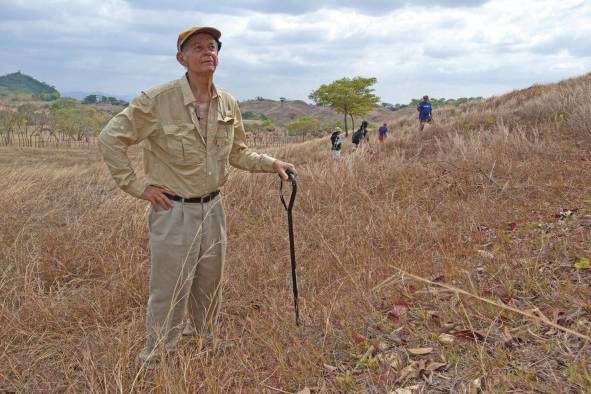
(187, 253)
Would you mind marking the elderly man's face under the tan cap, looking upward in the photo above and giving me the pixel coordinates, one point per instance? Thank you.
(199, 54)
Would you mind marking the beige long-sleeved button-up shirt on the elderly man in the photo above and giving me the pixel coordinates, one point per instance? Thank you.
(177, 154)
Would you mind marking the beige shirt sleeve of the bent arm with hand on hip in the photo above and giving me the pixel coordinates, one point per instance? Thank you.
(129, 127)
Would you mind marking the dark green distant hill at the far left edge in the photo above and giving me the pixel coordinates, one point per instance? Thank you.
(21, 85)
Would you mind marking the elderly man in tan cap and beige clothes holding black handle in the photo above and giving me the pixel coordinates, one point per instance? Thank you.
(191, 131)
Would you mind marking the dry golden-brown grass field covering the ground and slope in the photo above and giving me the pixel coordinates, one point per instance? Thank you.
(493, 199)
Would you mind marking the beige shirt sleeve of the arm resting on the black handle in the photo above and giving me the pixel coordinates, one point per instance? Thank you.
(241, 156)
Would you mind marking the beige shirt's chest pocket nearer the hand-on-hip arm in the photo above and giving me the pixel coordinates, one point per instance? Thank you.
(180, 145)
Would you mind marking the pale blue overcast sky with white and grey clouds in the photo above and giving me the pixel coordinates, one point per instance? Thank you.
(274, 48)
